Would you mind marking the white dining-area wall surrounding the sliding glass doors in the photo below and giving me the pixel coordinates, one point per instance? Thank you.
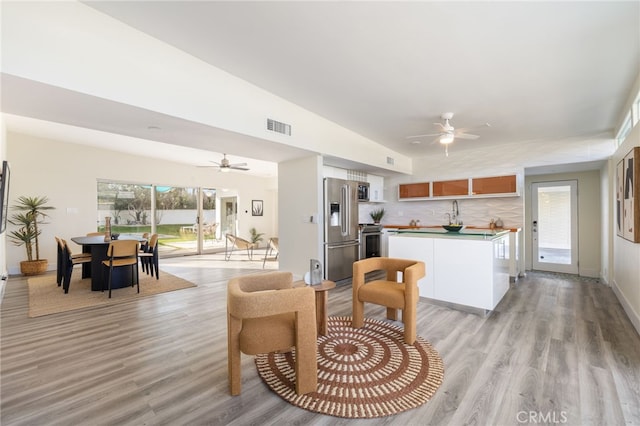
(67, 174)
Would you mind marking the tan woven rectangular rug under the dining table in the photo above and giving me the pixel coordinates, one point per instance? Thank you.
(45, 297)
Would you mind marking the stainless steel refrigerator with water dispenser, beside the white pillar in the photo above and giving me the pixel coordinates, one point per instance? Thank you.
(341, 244)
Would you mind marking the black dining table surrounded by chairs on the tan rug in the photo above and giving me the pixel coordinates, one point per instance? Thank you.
(97, 245)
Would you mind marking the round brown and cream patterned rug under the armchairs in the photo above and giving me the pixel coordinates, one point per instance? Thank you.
(362, 372)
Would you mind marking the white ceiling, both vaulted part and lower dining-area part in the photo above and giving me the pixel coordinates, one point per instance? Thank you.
(536, 71)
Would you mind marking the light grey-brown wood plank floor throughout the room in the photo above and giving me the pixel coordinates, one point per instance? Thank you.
(557, 350)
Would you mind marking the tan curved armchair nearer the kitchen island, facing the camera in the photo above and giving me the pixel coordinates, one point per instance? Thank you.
(389, 292)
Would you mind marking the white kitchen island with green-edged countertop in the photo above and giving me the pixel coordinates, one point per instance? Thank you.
(462, 268)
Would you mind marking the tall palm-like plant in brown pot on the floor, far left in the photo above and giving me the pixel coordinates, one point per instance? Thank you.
(31, 214)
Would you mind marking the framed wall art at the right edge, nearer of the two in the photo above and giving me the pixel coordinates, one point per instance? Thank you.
(631, 196)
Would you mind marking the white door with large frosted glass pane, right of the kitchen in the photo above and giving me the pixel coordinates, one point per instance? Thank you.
(554, 228)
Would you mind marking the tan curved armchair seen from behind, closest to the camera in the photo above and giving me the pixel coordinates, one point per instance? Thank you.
(266, 314)
